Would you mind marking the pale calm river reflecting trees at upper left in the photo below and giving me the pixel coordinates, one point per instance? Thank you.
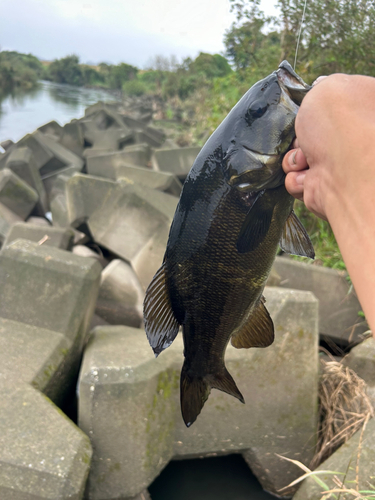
(21, 112)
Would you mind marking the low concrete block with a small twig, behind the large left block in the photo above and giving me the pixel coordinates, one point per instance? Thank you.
(50, 236)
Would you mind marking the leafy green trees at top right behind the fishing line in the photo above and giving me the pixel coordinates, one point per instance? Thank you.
(337, 35)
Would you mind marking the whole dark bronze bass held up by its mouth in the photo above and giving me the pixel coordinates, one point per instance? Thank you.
(233, 214)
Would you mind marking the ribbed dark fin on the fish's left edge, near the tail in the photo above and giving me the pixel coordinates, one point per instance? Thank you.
(160, 323)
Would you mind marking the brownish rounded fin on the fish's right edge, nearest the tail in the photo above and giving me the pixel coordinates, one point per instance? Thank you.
(258, 331)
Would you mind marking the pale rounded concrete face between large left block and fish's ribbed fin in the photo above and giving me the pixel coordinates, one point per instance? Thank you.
(120, 299)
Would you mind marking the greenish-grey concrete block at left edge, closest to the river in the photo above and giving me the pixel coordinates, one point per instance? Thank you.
(16, 194)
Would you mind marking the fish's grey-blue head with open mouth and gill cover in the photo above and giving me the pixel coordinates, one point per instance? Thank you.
(260, 130)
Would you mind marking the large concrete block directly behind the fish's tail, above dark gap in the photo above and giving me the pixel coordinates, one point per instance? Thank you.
(129, 403)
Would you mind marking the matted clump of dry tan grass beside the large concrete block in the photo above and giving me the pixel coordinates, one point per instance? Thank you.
(343, 406)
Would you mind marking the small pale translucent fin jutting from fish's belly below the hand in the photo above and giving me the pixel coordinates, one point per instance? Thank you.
(295, 239)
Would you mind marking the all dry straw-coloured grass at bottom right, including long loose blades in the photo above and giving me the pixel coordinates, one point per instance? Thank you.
(344, 409)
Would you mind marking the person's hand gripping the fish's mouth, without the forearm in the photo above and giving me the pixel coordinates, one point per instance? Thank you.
(331, 167)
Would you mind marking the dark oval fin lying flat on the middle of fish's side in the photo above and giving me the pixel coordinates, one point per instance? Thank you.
(255, 226)
